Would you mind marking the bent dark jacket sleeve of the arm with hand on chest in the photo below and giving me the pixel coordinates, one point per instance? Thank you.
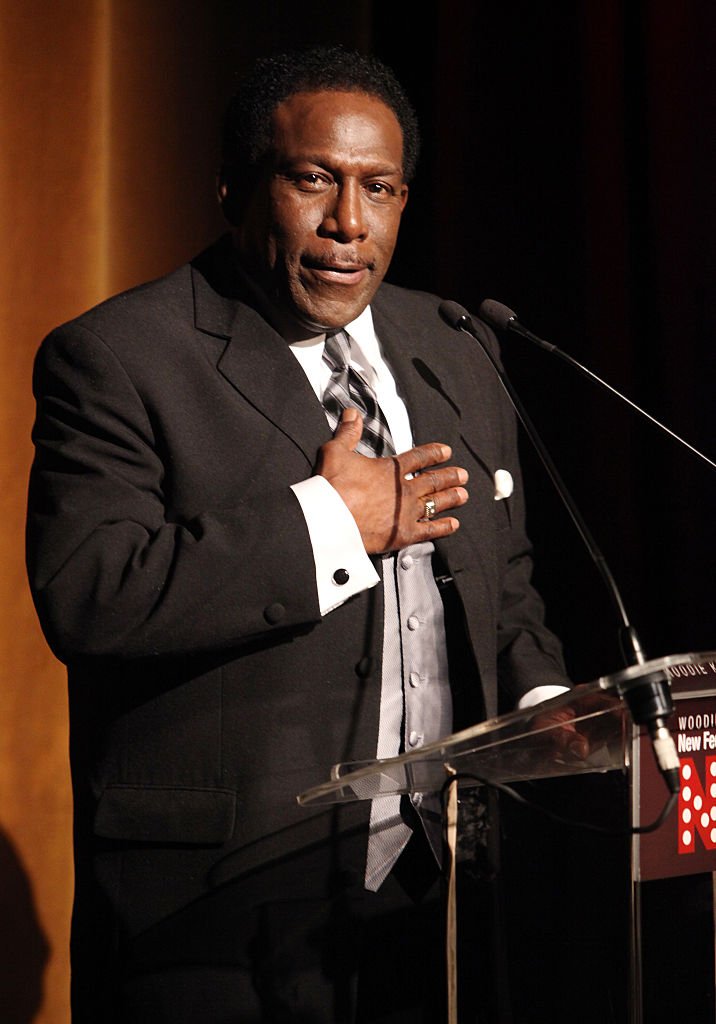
(112, 574)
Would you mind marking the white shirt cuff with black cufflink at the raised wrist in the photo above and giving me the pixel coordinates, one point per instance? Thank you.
(343, 567)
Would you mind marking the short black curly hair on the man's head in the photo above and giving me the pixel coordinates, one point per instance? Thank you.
(247, 127)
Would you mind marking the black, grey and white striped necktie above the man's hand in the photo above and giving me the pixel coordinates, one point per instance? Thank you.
(348, 389)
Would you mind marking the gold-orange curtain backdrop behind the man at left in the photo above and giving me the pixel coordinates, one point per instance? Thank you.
(104, 183)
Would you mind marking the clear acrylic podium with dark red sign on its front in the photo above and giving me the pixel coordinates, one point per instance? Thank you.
(521, 747)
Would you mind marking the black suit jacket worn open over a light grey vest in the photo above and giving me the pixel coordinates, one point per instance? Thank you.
(174, 573)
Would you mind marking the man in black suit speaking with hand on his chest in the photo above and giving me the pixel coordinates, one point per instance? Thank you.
(244, 600)
